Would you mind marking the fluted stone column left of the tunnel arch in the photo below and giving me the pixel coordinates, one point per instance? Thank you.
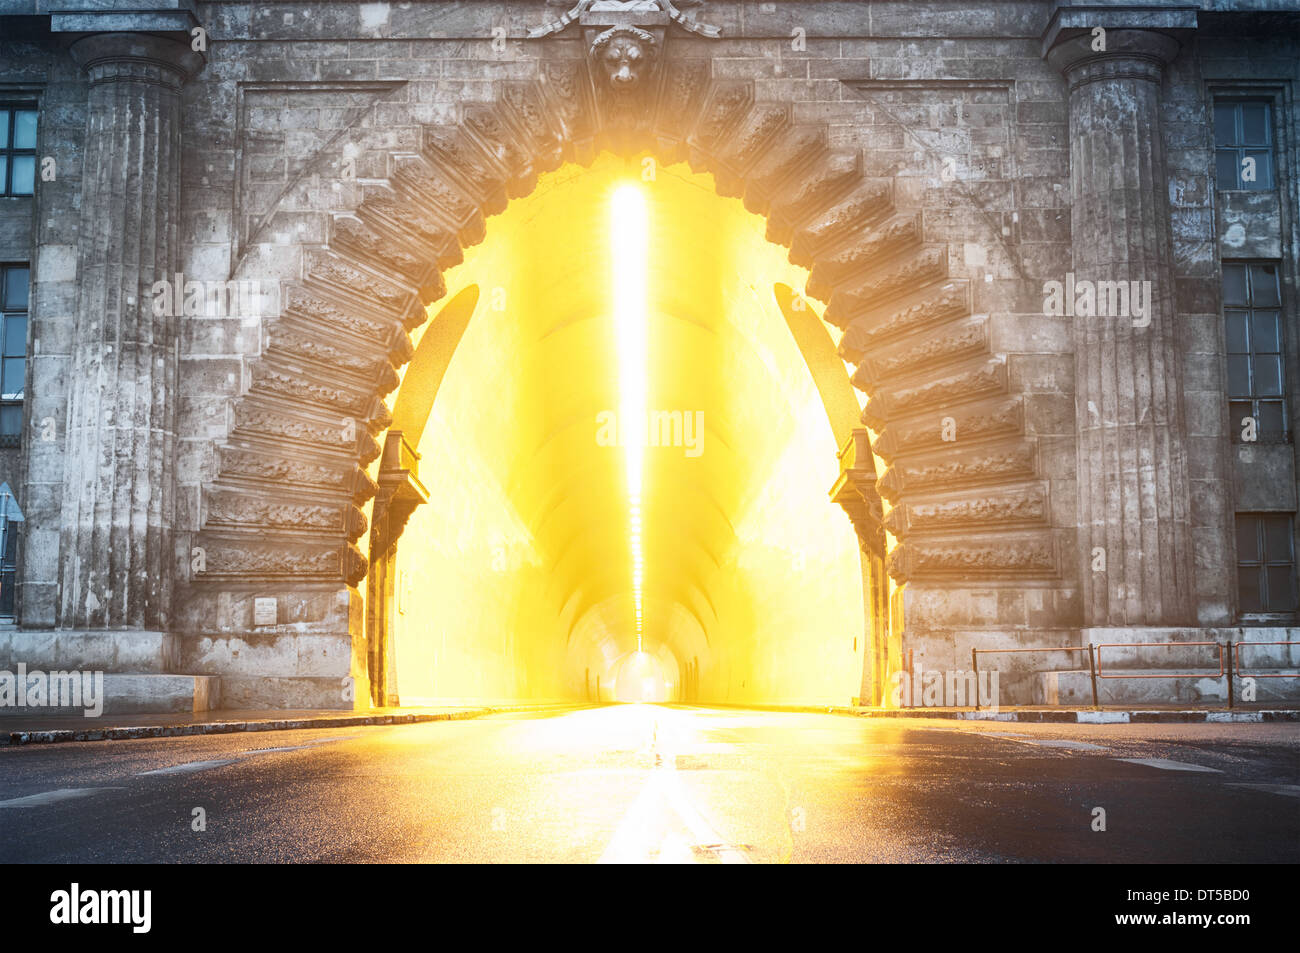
(116, 553)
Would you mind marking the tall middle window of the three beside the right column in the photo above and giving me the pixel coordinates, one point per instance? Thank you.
(1253, 323)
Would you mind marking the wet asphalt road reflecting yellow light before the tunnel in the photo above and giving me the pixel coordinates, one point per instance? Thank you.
(665, 785)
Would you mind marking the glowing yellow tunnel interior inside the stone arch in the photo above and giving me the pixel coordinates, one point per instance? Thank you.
(627, 461)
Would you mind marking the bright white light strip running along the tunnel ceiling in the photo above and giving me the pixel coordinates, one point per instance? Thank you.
(629, 236)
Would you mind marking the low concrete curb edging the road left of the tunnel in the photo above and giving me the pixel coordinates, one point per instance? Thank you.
(171, 731)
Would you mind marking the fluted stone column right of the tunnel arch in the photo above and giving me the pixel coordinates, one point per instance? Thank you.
(1133, 500)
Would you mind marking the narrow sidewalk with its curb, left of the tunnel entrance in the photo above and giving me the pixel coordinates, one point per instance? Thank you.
(24, 730)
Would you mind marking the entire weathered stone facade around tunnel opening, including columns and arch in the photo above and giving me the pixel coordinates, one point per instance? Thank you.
(1028, 478)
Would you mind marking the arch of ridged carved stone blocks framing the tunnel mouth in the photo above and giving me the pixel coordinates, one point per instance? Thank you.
(285, 509)
